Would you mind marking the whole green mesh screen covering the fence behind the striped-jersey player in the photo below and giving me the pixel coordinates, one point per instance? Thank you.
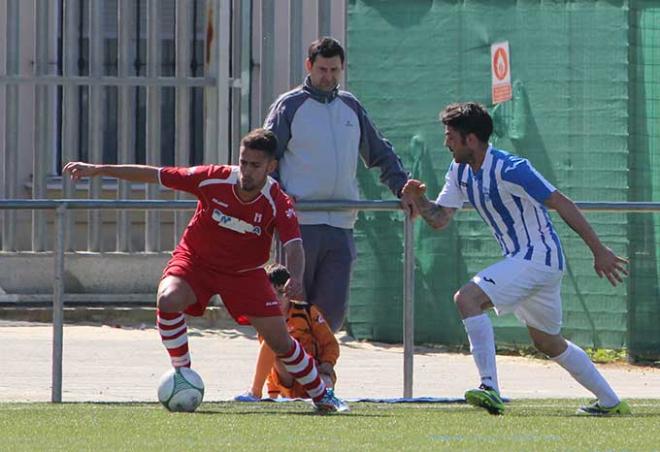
(585, 117)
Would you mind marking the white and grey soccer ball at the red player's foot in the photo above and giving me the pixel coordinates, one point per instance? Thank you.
(181, 389)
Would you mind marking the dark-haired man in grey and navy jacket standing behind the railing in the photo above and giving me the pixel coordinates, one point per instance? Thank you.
(322, 131)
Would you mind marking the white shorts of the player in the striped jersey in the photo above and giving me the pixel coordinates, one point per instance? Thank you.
(529, 290)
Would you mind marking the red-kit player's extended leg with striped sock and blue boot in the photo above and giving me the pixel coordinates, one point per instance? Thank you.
(296, 361)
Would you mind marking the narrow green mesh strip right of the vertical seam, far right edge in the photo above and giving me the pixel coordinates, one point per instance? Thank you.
(644, 166)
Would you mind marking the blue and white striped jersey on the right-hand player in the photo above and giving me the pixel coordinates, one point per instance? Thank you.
(509, 194)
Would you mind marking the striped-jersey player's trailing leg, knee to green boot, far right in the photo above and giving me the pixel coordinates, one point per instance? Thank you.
(577, 363)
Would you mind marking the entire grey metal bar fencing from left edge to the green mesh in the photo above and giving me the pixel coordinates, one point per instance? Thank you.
(158, 82)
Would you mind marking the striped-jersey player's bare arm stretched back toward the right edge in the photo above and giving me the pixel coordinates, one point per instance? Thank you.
(606, 263)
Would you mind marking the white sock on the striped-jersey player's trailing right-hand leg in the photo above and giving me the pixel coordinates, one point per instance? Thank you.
(578, 364)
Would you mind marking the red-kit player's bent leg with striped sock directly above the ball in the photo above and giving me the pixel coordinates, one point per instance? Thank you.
(174, 296)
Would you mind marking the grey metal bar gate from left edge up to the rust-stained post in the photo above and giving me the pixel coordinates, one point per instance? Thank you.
(107, 81)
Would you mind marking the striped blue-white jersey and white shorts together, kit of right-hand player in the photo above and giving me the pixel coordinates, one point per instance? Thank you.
(509, 195)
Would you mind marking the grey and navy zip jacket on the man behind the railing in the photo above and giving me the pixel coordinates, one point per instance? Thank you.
(320, 136)
